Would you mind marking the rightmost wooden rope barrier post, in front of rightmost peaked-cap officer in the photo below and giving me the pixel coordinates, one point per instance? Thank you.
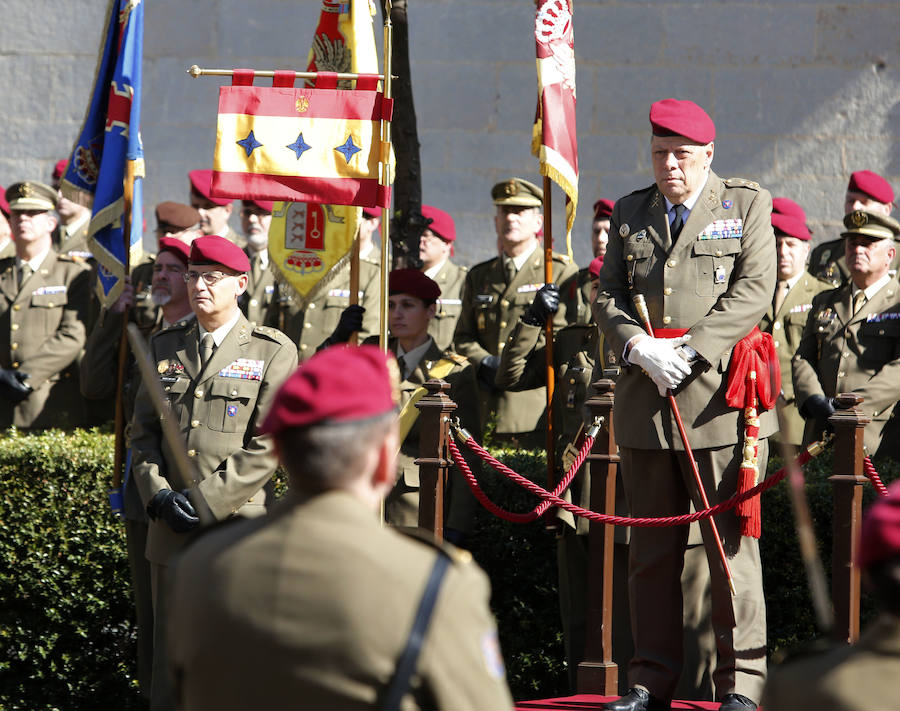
(847, 485)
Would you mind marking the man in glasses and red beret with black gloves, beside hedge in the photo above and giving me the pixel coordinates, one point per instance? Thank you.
(220, 374)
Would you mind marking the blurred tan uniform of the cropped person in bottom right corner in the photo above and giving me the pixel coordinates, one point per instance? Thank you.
(858, 677)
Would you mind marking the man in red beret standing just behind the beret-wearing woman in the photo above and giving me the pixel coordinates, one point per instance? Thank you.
(435, 250)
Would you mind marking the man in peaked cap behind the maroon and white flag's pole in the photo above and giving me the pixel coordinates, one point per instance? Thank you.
(496, 294)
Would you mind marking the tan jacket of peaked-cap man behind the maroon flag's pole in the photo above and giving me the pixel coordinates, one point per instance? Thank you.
(490, 310)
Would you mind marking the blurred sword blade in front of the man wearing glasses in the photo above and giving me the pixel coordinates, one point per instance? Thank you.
(183, 475)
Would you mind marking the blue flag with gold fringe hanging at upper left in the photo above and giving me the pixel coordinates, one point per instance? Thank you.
(107, 161)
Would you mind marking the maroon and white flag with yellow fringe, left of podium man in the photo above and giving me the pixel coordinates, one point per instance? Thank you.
(554, 137)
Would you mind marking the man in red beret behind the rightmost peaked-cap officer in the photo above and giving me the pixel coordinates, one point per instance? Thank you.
(866, 191)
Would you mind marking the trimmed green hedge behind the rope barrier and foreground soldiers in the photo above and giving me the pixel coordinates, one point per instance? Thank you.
(66, 631)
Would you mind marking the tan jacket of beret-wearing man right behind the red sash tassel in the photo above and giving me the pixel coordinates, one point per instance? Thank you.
(786, 328)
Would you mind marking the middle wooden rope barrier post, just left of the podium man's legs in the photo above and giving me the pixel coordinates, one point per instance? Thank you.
(598, 674)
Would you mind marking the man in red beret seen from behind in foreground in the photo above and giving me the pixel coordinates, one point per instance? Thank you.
(313, 605)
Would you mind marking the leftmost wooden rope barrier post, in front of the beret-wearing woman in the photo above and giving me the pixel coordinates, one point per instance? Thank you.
(433, 462)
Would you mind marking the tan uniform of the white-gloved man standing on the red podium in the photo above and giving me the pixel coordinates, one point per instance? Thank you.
(715, 281)
